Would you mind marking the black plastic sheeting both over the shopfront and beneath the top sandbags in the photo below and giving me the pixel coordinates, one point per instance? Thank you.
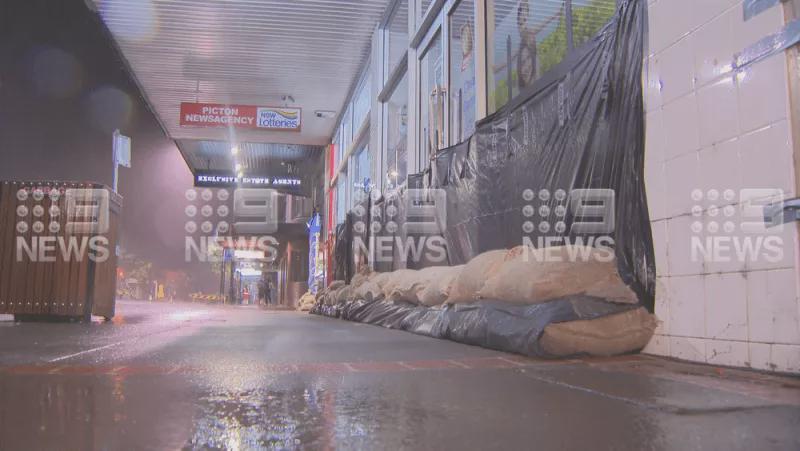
(579, 127)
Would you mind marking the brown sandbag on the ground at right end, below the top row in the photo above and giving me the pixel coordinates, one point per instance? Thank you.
(616, 334)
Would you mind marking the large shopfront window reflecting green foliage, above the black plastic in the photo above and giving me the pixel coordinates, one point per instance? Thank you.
(526, 39)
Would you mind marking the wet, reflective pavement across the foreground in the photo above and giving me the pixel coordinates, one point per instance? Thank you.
(167, 376)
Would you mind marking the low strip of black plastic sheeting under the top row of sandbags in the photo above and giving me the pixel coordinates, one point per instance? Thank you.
(490, 324)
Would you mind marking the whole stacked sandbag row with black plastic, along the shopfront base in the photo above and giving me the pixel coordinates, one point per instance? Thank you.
(574, 305)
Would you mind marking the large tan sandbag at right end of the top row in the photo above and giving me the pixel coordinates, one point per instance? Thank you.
(527, 279)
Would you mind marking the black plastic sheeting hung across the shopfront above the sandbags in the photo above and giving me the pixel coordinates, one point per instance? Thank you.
(579, 127)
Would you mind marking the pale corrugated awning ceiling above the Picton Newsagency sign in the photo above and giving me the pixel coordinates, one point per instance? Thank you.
(250, 52)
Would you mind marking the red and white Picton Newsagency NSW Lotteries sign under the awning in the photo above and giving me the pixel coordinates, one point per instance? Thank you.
(240, 116)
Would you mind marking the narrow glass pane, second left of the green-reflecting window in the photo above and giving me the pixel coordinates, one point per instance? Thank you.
(432, 98)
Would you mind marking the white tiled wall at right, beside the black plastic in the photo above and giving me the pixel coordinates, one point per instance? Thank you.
(711, 128)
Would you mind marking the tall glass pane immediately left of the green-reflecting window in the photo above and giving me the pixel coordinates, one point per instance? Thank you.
(463, 104)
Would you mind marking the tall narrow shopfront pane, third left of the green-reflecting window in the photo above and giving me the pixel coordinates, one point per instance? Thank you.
(397, 133)
